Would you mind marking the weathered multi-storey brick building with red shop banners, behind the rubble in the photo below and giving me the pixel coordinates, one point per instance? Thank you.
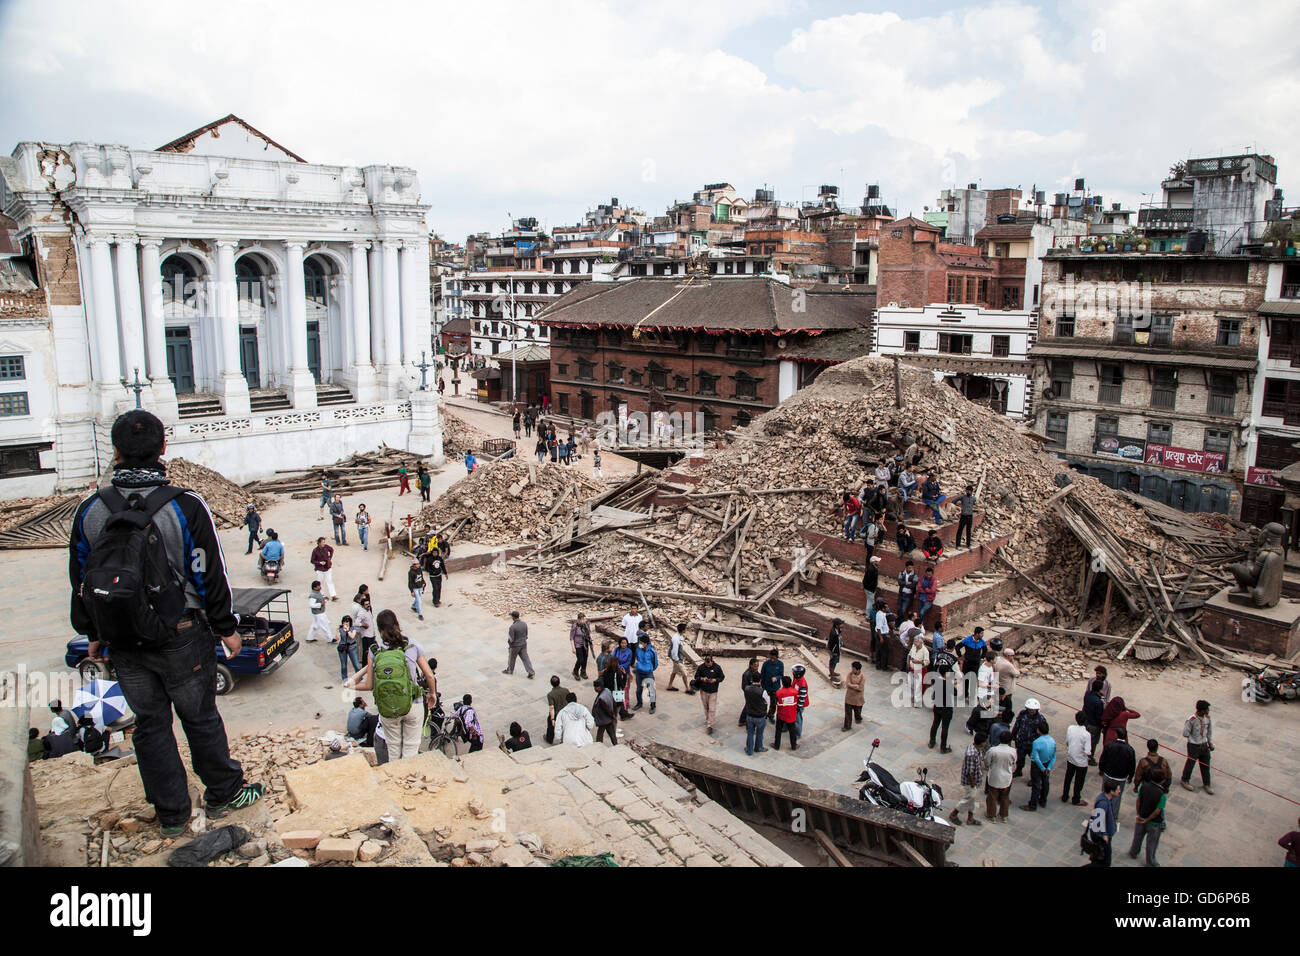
(1145, 370)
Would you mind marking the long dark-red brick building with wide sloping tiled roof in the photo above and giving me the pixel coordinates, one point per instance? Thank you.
(708, 348)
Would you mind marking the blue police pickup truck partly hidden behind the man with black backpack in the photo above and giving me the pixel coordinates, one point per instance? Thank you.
(265, 629)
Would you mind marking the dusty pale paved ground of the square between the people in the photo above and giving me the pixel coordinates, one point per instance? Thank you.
(1237, 827)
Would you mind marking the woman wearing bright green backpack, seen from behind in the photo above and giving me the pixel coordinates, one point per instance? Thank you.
(393, 676)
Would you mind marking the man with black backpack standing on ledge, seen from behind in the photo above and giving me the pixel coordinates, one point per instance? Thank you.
(149, 579)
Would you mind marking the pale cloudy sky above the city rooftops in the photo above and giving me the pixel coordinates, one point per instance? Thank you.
(548, 109)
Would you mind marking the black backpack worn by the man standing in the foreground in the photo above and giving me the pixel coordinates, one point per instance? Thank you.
(129, 589)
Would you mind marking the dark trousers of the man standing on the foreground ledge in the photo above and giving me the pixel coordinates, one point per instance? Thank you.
(184, 678)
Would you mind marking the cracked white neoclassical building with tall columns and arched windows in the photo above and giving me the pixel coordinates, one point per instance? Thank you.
(274, 312)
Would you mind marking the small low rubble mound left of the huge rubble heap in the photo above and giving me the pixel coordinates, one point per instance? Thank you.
(509, 501)
